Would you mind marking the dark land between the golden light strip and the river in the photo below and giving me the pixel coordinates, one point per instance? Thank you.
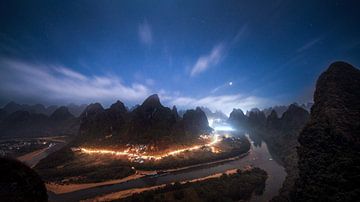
(72, 167)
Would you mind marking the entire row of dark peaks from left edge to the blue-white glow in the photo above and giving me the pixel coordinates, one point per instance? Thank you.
(146, 123)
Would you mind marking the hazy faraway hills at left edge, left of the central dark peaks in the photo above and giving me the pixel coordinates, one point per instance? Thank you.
(22, 120)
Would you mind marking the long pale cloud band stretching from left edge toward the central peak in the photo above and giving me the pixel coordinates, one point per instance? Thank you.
(24, 80)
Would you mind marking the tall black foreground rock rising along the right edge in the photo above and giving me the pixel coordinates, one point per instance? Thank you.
(329, 152)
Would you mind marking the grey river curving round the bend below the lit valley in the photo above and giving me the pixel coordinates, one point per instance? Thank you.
(259, 156)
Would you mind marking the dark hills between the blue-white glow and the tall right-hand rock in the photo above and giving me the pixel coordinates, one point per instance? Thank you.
(279, 132)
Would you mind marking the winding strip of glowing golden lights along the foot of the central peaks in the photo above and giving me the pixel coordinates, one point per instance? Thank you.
(132, 156)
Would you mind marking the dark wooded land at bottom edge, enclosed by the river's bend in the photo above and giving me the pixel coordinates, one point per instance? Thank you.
(234, 185)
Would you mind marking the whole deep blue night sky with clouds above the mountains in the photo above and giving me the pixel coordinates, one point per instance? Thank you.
(219, 54)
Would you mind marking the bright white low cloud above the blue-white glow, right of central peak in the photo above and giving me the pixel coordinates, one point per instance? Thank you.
(225, 103)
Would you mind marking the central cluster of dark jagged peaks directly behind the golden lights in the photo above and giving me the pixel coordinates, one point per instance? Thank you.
(149, 123)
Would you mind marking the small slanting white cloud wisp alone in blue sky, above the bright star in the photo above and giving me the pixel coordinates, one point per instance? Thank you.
(206, 61)
